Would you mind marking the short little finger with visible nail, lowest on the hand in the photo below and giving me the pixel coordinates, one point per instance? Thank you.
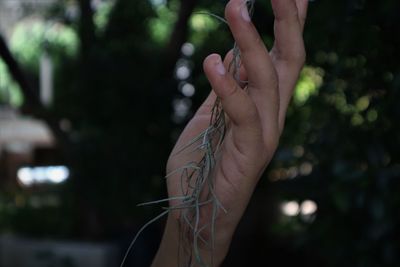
(237, 104)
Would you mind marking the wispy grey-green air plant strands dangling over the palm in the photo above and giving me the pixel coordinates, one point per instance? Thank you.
(197, 182)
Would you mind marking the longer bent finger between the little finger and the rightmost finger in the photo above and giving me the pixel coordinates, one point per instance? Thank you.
(262, 78)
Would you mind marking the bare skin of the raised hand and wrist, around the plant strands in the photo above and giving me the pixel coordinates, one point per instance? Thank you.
(255, 119)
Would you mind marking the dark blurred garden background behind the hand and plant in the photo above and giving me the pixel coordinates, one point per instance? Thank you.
(93, 95)
